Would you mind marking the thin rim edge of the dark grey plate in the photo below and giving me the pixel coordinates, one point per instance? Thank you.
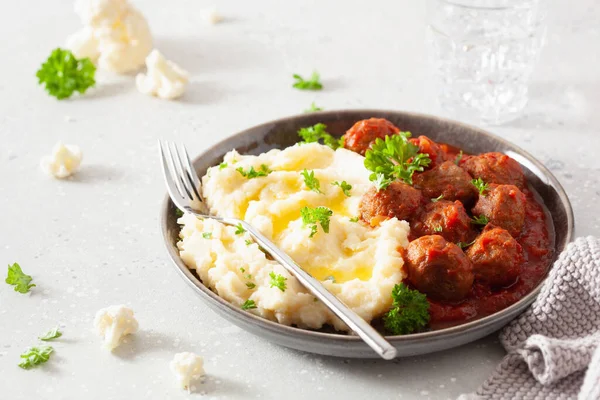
(480, 323)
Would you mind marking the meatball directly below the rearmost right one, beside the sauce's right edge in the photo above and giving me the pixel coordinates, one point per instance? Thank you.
(504, 206)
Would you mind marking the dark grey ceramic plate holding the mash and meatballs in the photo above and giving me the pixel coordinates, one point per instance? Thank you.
(282, 133)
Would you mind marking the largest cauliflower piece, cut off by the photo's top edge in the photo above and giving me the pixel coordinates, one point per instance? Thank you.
(115, 34)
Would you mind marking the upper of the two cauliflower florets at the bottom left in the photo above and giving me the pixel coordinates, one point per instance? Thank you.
(113, 323)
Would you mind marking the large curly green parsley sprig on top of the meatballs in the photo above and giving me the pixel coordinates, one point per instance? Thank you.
(394, 158)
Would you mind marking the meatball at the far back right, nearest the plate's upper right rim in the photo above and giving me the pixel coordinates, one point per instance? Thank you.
(494, 168)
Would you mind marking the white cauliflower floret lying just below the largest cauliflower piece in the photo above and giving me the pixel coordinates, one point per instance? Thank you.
(163, 79)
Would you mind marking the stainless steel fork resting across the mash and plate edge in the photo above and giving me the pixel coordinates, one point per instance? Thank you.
(185, 190)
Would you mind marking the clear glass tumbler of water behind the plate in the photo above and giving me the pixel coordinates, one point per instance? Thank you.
(482, 54)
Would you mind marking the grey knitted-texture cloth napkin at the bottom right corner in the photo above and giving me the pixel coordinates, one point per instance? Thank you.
(554, 346)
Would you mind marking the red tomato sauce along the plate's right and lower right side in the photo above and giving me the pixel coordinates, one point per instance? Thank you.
(537, 250)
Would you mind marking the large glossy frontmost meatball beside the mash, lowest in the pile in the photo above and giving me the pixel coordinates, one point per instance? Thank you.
(438, 268)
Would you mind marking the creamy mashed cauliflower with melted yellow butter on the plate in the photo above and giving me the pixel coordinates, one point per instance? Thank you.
(357, 263)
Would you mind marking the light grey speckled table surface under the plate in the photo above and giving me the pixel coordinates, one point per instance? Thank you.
(93, 240)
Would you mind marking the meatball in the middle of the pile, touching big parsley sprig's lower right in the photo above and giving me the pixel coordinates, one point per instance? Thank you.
(447, 180)
